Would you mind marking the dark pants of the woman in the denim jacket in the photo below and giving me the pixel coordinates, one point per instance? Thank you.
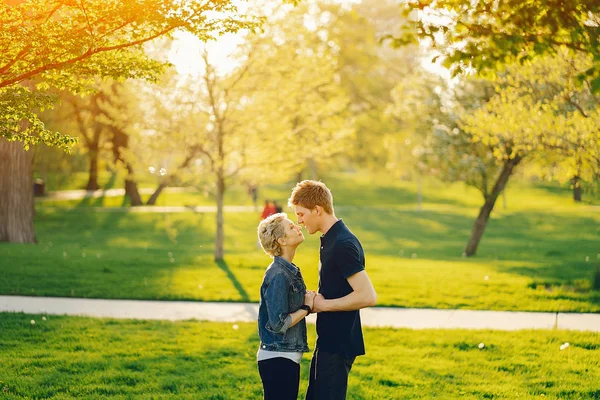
(280, 377)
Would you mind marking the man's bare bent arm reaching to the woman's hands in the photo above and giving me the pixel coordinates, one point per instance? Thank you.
(363, 295)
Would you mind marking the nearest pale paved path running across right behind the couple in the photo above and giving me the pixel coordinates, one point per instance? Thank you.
(247, 312)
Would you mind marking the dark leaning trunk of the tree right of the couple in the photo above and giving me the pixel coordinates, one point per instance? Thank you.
(488, 206)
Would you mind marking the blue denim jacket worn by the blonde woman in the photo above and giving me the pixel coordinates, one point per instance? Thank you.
(281, 293)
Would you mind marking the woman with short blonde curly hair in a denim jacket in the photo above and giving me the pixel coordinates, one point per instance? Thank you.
(284, 304)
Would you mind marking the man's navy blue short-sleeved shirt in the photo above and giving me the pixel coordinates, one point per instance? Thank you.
(341, 256)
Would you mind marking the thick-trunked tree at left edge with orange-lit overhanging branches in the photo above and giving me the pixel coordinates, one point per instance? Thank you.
(65, 44)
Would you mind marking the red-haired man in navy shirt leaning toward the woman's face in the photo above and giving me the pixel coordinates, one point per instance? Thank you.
(344, 288)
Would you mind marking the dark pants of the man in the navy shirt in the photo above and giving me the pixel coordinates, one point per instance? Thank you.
(328, 376)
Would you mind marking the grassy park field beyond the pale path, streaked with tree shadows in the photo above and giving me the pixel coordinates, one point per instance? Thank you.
(538, 254)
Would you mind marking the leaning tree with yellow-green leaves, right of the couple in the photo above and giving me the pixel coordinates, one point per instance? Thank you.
(534, 110)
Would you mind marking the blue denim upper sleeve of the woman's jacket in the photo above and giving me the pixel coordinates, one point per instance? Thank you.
(276, 295)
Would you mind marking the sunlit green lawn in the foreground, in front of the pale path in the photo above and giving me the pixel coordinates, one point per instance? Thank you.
(67, 357)
